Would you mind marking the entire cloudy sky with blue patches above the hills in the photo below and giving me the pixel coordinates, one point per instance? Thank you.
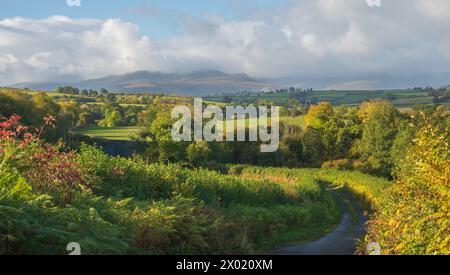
(348, 40)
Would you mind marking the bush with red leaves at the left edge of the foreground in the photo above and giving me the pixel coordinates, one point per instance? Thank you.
(48, 169)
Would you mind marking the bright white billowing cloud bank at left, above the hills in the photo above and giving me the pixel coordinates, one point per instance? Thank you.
(61, 48)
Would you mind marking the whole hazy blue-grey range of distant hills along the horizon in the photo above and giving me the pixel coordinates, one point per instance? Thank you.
(208, 82)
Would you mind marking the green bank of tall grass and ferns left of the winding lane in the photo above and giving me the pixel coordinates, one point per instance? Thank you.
(135, 208)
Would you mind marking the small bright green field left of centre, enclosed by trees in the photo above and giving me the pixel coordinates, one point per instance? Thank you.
(115, 133)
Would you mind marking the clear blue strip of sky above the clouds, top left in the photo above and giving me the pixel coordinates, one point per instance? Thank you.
(156, 18)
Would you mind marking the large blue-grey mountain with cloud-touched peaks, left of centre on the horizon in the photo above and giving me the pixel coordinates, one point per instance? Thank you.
(195, 83)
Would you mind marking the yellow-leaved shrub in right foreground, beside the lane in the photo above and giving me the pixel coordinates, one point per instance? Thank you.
(417, 219)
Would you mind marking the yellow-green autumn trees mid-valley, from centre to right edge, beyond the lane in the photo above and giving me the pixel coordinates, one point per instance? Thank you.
(373, 138)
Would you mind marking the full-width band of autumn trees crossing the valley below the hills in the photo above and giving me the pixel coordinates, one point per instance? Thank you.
(372, 137)
